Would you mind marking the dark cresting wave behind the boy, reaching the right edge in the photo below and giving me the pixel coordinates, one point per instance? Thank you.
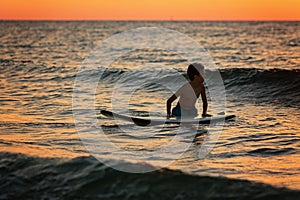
(276, 86)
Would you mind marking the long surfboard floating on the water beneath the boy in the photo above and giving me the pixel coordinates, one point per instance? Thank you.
(145, 121)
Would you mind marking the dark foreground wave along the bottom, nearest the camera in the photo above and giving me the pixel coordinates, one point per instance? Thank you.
(26, 177)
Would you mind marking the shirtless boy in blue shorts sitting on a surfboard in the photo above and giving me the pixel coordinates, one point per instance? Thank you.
(188, 94)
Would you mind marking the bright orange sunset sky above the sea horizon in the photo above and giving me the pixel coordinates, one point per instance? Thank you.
(151, 9)
